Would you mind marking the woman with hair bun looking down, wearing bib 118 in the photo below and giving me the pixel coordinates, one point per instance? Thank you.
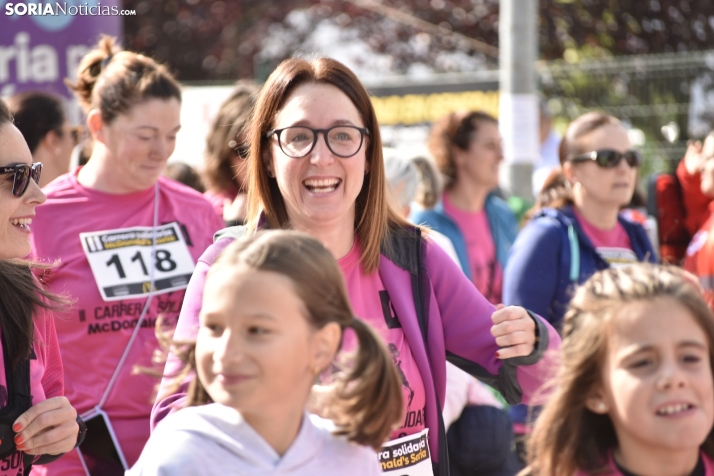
(104, 222)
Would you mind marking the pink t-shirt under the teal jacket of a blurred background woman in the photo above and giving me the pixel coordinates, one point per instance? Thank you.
(486, 271)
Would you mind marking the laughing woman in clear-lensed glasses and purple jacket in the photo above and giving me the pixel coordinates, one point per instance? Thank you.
(316, 166)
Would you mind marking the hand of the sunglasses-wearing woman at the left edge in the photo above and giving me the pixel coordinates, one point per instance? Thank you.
(50, 427)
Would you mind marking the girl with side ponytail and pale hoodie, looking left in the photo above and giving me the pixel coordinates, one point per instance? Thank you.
(273, 317)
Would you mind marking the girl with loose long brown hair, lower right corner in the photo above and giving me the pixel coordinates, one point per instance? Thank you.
(635, 393)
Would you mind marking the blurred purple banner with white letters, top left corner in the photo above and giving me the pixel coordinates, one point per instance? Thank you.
(41, 43)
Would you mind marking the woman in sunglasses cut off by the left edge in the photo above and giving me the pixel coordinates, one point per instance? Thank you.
(37, 423)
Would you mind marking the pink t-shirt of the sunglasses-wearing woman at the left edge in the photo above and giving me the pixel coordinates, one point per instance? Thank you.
(46, 379)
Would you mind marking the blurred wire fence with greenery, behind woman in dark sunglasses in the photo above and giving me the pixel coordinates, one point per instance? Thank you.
(646, 91)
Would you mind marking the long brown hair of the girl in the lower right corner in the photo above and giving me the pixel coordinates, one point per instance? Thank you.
(567, 436)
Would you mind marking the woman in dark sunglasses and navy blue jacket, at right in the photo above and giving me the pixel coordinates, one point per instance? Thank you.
(579, 229)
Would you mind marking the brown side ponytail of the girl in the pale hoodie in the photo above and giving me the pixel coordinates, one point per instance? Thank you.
(367, 401)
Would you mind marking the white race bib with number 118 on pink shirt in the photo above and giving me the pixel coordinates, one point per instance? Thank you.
(121, 259)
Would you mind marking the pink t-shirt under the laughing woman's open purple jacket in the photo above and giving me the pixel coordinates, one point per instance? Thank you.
(371, 303)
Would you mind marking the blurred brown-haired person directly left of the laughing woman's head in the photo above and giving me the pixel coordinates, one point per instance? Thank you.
(224, 172)
